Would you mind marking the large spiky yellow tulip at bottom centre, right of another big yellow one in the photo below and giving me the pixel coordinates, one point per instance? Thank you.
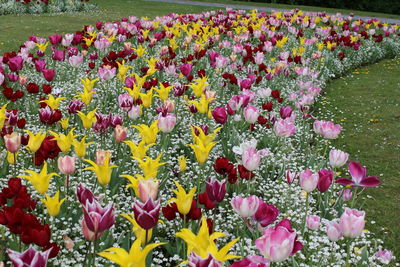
(203, 243)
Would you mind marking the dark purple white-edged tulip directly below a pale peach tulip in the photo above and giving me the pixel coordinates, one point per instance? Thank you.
(147, 214)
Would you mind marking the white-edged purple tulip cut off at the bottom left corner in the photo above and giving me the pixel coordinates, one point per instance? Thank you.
(30, 257)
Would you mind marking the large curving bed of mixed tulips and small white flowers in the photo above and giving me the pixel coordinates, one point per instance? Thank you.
(142, 141)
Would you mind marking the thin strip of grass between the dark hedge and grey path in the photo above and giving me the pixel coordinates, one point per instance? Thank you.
(308, 8)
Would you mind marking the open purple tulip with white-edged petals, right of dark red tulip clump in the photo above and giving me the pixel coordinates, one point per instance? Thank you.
(97, 218)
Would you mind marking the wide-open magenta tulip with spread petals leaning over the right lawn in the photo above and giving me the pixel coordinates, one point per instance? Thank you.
(359, 176)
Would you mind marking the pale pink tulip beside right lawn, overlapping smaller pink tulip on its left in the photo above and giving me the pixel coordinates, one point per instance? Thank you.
(352, 222)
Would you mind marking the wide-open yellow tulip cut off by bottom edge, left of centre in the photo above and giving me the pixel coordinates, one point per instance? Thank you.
(135, 258)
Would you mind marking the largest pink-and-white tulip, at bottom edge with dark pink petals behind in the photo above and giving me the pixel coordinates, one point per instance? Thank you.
(279, 242)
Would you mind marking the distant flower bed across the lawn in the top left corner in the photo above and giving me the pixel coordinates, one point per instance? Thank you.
(44, 6)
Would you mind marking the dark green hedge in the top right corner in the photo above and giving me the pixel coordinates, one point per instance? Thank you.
(384, 6)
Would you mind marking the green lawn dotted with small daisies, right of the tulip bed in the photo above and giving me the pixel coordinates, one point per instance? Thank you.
(366, 103)
